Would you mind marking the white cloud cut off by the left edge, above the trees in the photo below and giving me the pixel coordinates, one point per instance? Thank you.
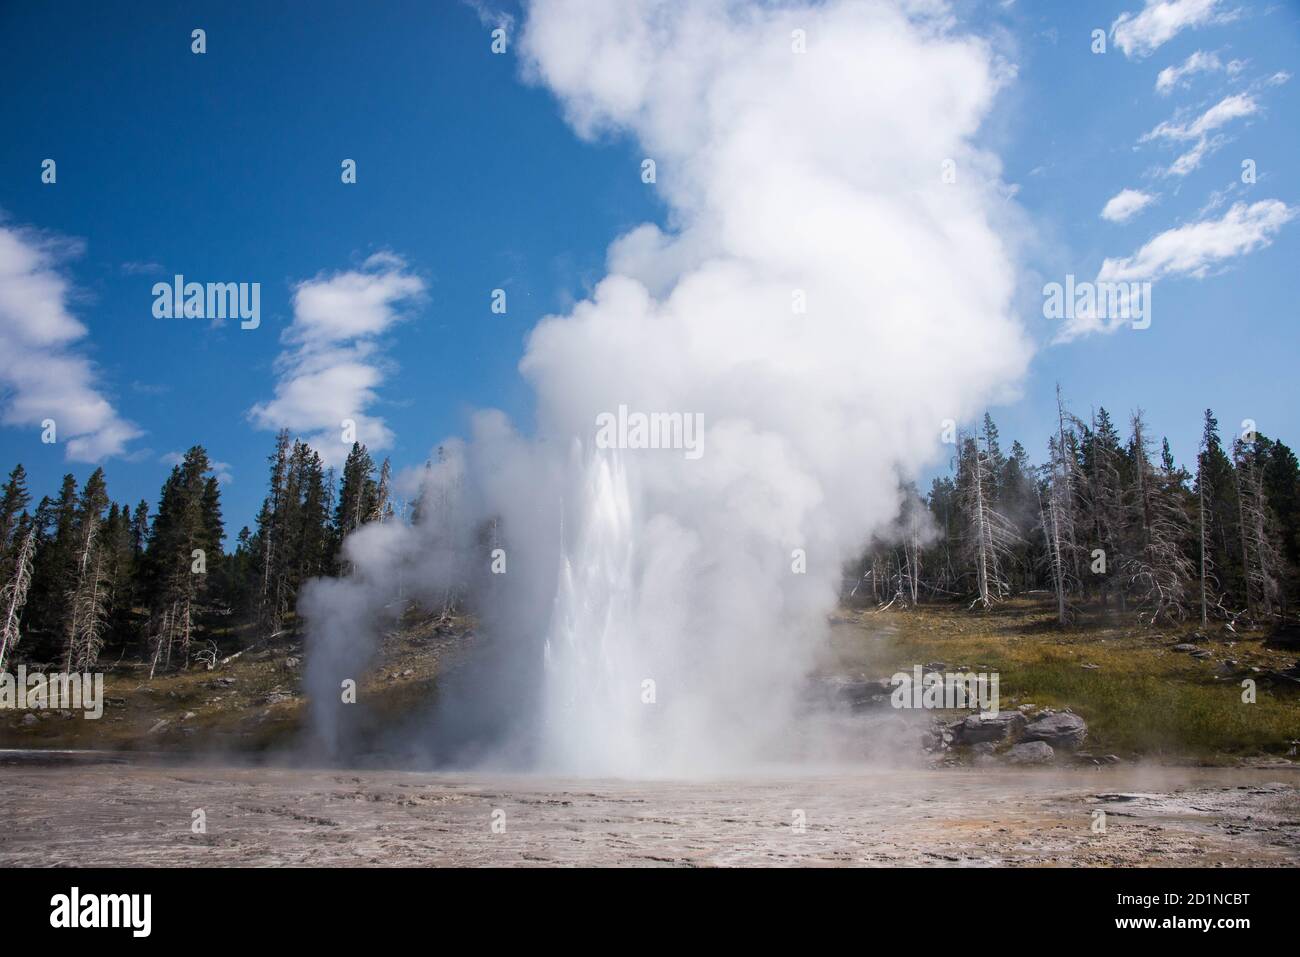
(41, 374)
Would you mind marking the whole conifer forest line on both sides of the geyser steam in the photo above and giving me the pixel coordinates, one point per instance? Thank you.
(1107, 522)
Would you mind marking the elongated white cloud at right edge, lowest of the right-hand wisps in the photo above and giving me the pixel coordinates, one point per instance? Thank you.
(1197, 248)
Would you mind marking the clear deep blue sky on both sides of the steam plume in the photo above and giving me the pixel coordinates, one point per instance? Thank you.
(226, 167)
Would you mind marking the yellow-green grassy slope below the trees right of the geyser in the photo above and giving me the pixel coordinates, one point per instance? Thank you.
(1142, 700)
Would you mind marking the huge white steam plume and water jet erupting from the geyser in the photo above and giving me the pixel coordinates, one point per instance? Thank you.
(791, 177)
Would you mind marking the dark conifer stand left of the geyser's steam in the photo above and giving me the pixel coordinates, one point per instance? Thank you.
(84, 577)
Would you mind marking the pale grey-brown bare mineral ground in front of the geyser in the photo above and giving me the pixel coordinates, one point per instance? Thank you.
(105, 815)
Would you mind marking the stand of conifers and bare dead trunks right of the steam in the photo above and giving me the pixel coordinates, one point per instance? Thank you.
(1108, 522)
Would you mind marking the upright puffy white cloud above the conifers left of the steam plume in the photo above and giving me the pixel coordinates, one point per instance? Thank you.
(335, 365)
